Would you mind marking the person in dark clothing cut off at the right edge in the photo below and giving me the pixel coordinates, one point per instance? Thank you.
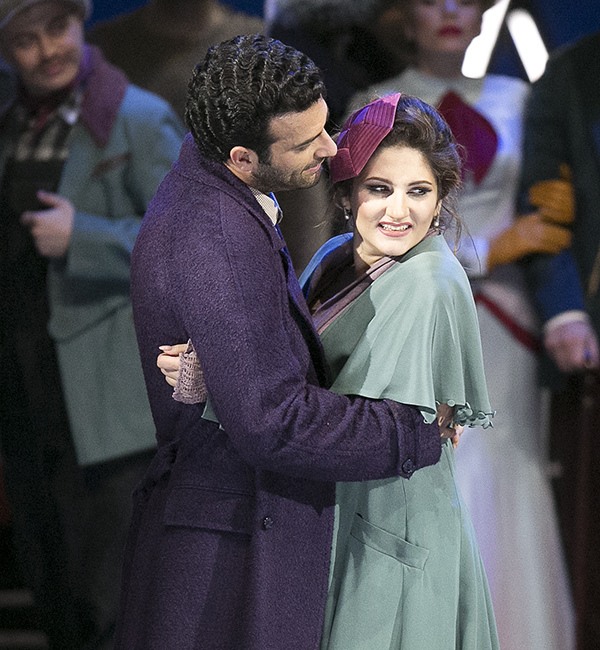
(562, 128)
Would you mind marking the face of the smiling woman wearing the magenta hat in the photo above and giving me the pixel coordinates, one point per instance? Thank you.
(393, 201)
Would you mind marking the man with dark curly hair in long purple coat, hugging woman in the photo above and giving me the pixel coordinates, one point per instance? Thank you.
(231, 536)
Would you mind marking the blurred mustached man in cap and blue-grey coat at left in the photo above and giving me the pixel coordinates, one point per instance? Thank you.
(81, 153)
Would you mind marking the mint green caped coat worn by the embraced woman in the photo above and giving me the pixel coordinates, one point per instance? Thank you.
(406, 571)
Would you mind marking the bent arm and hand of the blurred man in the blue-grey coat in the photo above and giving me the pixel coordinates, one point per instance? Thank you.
(98, 246)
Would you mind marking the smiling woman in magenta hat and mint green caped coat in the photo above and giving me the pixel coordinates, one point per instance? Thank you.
(397, 320)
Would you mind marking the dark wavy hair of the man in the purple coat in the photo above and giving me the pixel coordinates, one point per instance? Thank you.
(241, 85)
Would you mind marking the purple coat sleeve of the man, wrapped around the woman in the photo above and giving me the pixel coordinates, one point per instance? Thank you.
(231, 296)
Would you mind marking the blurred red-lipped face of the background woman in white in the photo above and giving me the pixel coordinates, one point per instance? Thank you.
(444, 27)
